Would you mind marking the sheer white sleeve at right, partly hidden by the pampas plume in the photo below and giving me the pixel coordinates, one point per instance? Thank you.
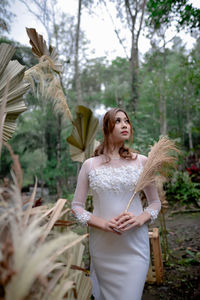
(151, 192)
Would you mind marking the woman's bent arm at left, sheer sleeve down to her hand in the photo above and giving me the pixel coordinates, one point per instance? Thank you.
(78, 203)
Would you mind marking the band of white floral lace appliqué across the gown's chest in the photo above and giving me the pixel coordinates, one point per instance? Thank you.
(116, 179)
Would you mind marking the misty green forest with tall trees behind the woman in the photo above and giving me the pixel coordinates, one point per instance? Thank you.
(160, 90)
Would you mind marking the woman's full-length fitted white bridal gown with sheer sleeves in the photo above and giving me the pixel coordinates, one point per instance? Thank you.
(119, 263)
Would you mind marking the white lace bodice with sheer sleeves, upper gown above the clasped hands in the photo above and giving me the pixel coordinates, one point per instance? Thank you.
(110, 180)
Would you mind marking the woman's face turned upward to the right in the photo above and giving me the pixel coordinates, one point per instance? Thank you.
(122, 129)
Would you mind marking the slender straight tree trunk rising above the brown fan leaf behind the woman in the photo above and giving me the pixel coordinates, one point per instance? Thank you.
(76, 62)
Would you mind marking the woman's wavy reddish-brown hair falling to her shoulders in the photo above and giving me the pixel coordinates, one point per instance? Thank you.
(108, 126)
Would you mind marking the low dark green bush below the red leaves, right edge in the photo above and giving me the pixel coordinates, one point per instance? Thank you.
(181, 189)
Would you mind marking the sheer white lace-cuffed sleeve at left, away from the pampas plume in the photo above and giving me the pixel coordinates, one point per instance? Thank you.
(80, 195)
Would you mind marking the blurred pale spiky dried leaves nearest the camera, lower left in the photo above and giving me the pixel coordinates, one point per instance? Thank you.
(30, 258)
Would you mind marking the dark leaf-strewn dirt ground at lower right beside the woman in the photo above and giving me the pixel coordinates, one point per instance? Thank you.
(182, 270)
